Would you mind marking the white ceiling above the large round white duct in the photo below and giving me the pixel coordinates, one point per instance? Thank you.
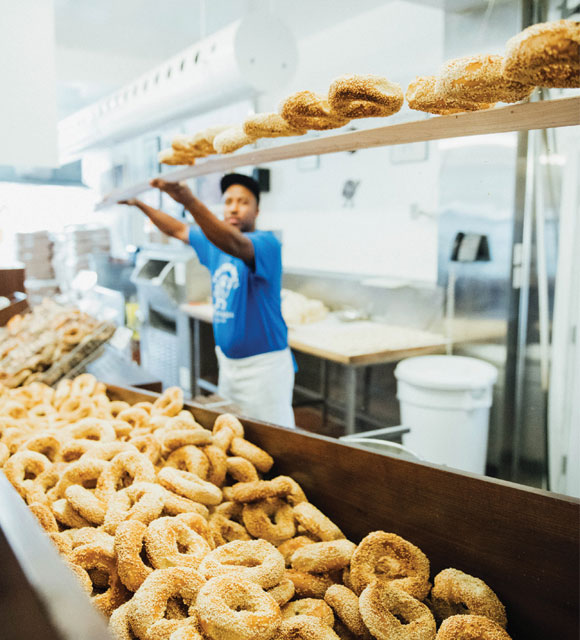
(103, 44)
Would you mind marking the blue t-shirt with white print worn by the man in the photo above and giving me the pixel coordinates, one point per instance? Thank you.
(247, 316)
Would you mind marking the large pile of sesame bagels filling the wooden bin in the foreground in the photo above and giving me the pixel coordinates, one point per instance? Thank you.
(178, 532)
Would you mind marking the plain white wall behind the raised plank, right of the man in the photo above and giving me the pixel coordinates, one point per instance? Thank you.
(380, 231)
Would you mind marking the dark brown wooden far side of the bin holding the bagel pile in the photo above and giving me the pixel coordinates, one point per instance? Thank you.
(523, 542)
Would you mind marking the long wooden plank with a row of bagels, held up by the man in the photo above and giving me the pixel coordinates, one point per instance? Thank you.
(562, 112)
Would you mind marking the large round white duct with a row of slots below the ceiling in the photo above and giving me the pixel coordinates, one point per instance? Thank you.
(258, 53)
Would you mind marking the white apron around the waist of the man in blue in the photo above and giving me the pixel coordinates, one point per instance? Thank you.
(261, 385)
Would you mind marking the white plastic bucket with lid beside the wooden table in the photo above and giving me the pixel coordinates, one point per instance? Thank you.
(445, 401)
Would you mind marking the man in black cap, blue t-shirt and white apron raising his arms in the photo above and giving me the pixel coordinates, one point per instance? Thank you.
(256, 369)
